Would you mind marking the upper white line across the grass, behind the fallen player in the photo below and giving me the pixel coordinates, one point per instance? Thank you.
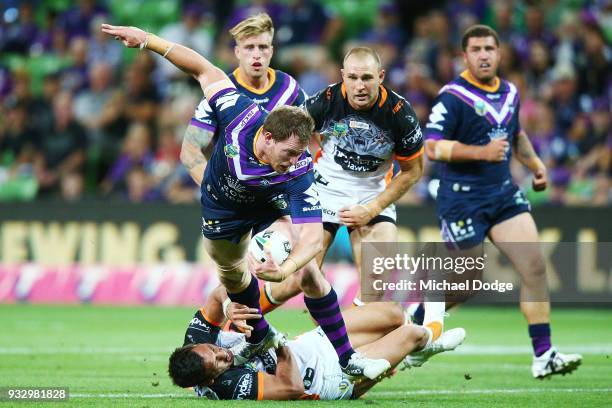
(466, 349)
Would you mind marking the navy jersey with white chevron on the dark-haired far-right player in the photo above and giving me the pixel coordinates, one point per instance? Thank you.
(472, 114)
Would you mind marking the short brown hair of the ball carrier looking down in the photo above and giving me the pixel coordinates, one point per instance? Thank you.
(285, 121)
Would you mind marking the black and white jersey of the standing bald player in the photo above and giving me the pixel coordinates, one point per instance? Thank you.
(355, 162)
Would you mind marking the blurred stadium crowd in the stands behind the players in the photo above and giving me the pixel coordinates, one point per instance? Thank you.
(82, 118)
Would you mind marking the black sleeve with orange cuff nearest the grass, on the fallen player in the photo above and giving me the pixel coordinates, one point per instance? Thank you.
(238, 383)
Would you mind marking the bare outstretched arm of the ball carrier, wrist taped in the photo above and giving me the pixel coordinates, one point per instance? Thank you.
(182, 57)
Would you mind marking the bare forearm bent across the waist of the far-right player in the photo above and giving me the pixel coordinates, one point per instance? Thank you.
(453, 151)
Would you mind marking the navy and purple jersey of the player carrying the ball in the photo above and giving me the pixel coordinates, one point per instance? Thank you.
(237, 181)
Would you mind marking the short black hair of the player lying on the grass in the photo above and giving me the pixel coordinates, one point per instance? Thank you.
(186, 367)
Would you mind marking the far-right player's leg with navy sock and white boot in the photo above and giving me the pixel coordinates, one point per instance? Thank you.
(535, 305)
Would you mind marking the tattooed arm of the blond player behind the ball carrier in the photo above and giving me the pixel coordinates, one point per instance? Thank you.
(196, 142)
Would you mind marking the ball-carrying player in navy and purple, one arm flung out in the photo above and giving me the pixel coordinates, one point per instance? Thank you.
(259, 176)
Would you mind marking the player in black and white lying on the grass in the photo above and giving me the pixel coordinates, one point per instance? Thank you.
(304, 368)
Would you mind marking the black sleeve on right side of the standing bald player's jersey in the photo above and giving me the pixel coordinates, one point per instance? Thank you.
(408, 134)
